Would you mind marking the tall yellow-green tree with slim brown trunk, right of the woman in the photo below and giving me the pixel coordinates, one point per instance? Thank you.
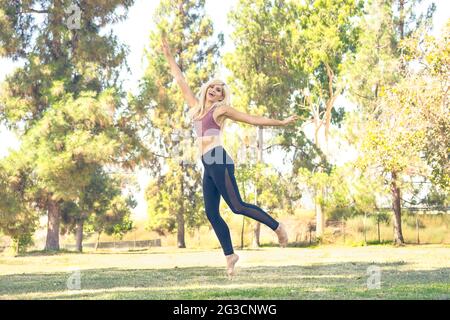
(392, 137)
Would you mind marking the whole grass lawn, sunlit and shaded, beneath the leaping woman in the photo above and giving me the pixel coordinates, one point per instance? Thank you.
(325, 272)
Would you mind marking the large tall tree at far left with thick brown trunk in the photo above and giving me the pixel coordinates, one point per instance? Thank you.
(65, 101)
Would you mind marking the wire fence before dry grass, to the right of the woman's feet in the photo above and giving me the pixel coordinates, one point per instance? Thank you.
(418, 227)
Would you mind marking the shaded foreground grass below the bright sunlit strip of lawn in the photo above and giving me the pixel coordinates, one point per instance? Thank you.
(318, 281)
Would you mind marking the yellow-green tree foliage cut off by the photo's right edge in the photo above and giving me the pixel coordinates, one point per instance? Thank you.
(428, 87)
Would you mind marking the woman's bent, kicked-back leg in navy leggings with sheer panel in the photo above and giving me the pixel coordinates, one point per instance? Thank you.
(225, 181)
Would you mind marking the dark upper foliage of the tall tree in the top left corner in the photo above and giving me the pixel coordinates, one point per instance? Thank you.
(56, 58)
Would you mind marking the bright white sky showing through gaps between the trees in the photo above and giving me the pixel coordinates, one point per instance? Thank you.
(134, 32)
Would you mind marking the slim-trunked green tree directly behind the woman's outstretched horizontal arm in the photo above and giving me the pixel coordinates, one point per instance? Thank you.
(262, 79)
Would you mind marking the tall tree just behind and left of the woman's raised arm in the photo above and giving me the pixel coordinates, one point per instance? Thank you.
(189, 33)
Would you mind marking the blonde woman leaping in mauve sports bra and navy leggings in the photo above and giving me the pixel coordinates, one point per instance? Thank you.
(209, 111)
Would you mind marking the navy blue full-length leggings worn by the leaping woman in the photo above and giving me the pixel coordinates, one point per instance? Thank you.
(219, 180)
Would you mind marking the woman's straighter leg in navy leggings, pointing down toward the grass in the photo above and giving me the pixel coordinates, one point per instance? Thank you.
(211, 198)
